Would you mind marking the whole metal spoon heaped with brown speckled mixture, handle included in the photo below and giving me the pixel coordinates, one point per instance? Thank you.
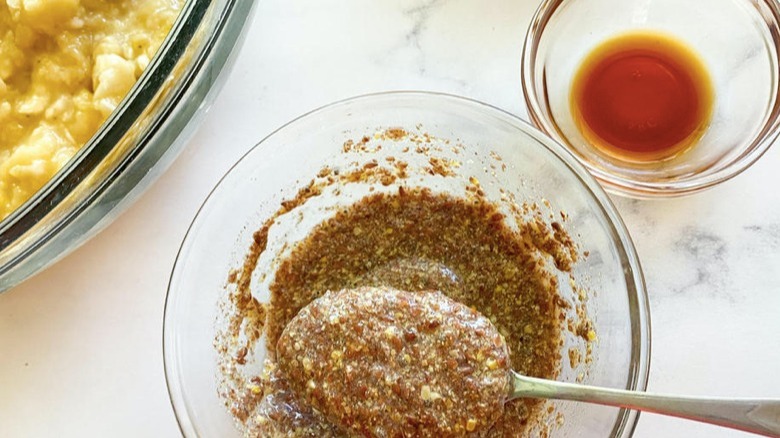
(329, 324)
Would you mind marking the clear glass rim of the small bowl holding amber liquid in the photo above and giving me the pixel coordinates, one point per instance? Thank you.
(625, 186)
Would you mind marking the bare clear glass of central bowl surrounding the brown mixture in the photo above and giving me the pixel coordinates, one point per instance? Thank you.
(537, 169)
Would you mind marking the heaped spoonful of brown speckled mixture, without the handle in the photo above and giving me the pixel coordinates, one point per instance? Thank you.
(384, 362)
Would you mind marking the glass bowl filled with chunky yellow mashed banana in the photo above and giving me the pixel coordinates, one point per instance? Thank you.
(96, 99)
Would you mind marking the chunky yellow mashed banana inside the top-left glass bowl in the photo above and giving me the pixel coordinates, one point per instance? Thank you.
(64, 67)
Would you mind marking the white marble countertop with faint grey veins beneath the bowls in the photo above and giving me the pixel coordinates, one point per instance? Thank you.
(81, 343)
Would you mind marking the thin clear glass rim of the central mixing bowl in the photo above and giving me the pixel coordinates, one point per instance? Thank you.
(639, 313)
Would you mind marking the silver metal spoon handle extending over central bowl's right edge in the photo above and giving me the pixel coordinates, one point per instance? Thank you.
(760, 416)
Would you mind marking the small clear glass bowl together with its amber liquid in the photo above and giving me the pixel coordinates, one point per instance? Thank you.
(656, 98)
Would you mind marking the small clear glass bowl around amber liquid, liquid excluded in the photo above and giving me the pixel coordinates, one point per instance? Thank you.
(736, 39)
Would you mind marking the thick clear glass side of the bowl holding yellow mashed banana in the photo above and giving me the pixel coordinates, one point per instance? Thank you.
(133, 147)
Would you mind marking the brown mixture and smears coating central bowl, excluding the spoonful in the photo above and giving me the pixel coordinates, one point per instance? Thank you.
(500, 257)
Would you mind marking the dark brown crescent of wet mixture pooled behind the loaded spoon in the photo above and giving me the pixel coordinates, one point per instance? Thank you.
(416, 240)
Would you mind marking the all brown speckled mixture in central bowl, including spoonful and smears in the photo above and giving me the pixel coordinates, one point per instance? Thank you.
(500, 258)
